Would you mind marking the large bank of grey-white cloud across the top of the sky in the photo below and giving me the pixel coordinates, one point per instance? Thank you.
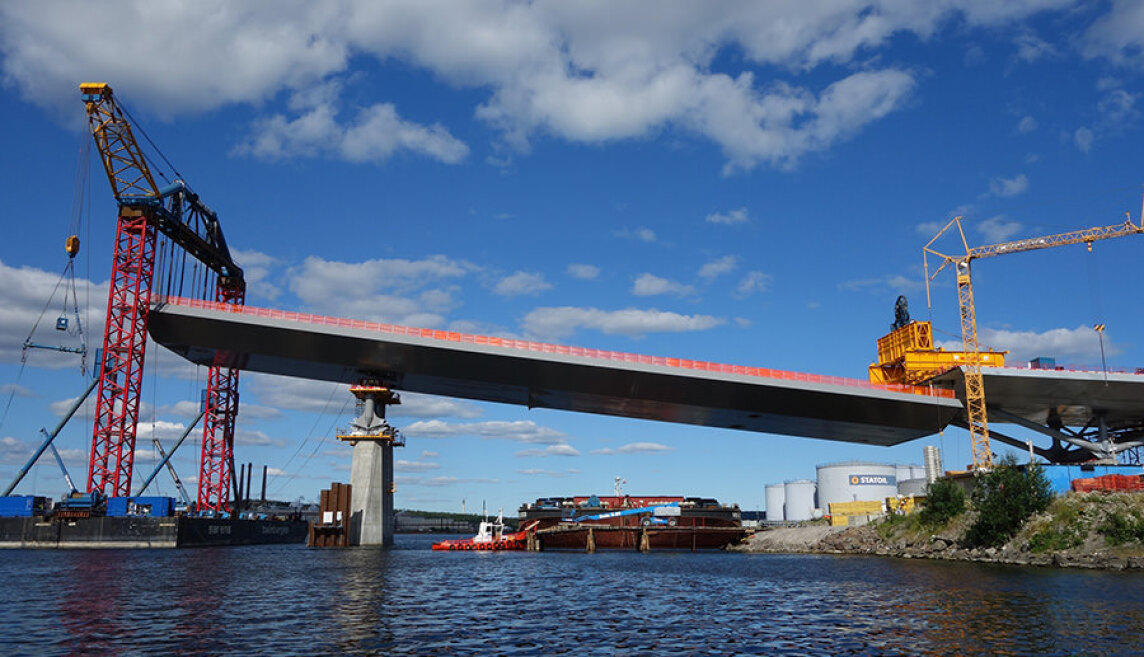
(583, 73)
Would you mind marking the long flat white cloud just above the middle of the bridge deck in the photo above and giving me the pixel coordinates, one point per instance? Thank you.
(561, 322)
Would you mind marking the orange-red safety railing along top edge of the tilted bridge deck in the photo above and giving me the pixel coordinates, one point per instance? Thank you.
(550, 349)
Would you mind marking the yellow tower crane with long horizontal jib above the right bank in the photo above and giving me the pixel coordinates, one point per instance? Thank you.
(975, 387)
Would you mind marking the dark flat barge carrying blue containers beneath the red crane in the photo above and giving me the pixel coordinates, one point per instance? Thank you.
(30, 523)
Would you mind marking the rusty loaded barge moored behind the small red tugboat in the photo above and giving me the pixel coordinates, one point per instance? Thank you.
(633, 523)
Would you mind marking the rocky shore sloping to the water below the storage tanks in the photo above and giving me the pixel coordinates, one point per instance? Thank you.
(1087, 549)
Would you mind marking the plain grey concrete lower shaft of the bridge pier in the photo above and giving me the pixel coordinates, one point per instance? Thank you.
(372, 496)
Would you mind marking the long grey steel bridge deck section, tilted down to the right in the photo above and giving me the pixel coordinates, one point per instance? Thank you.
(546, 376)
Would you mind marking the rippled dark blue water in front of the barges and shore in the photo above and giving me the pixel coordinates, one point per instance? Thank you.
(290, 600)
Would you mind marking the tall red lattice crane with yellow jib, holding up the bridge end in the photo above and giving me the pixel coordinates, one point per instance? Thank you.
(146, 211)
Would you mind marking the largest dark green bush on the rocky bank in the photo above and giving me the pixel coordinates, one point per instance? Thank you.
(1006, 497)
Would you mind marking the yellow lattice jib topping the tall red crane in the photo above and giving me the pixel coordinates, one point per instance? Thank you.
(123, 160)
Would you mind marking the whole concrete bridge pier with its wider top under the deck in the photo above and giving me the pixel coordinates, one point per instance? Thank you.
(372, 470)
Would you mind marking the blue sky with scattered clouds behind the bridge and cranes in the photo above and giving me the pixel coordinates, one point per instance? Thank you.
(738, 183)
